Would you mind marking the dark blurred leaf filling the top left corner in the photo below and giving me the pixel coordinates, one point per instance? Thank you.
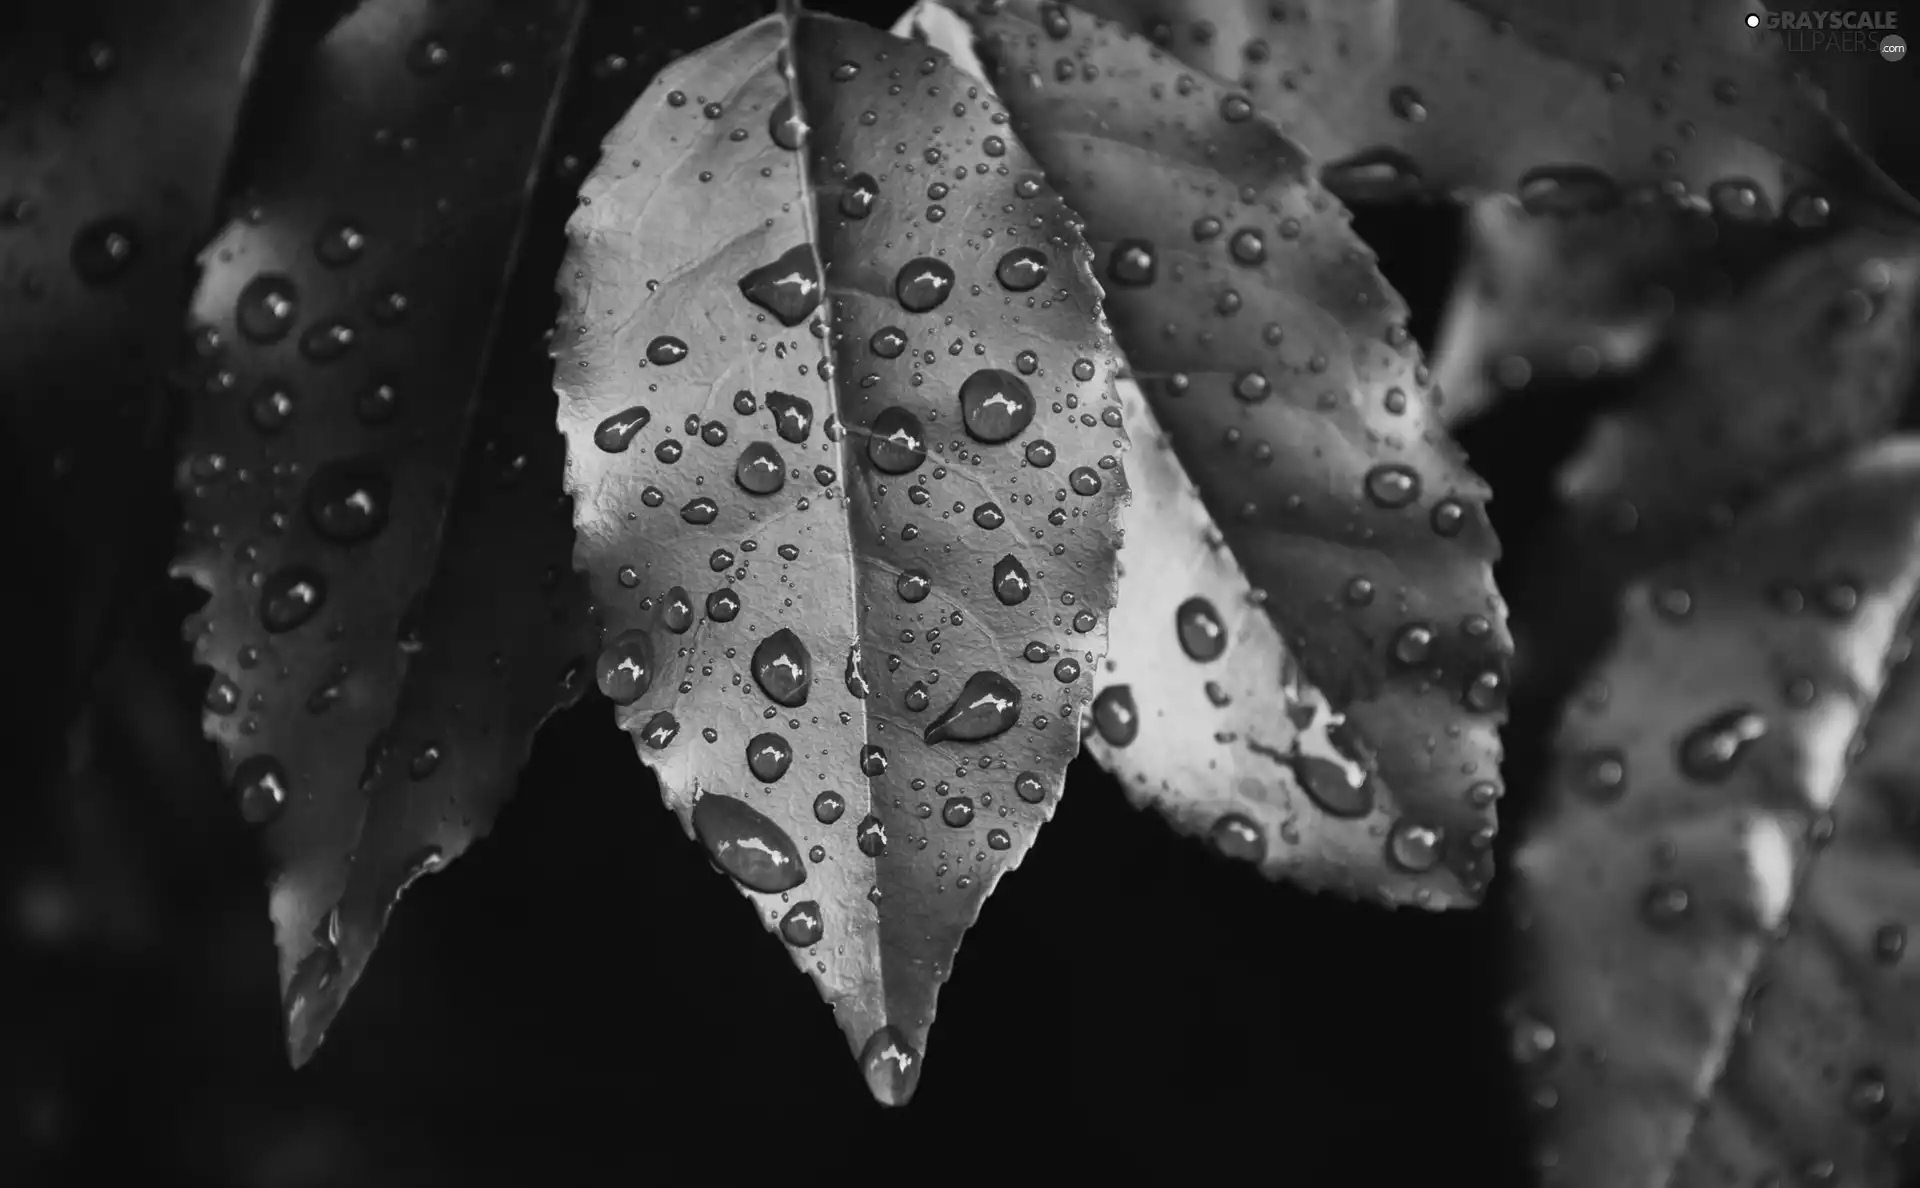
(112, 145)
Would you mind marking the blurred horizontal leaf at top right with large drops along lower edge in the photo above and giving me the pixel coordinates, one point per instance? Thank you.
(1493, 95)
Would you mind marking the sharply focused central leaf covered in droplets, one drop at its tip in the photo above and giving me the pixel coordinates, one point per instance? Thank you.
(853, 602)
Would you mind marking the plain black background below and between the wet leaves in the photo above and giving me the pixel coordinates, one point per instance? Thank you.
(587, 995)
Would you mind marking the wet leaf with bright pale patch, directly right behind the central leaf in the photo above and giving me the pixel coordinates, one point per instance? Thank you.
(1280, 366)
